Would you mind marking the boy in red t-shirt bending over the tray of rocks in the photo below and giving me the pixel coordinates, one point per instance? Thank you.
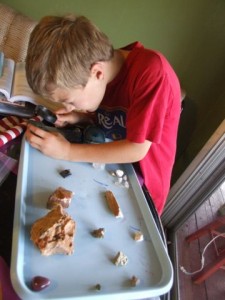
(132, 92)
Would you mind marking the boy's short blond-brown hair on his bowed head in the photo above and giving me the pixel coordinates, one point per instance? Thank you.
(62, 50)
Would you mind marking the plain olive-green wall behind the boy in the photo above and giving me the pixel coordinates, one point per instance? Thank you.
(190, 33)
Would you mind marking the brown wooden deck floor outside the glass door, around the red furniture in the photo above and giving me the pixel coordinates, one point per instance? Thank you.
(189, 255)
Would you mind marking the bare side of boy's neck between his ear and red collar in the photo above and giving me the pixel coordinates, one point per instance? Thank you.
(115, 64)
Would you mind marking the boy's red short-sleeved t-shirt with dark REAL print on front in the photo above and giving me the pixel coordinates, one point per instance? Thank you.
(144, 103)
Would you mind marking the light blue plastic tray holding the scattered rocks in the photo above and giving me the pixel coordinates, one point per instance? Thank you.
(75, 276)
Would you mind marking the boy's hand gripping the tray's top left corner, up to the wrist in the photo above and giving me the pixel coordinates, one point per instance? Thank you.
(49, 143)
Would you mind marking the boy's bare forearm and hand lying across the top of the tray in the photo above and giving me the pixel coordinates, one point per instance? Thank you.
(56, 146)
